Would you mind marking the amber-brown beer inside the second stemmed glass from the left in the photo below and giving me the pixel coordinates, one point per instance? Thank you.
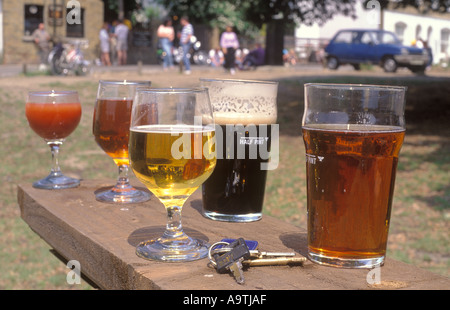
(111, 127)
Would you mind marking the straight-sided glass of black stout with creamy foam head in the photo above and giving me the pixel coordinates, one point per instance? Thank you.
(245, 114)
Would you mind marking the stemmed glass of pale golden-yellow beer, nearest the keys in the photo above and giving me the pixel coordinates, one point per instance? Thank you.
(172, 152)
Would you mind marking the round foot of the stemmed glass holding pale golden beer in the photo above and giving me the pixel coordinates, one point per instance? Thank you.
(173, 251)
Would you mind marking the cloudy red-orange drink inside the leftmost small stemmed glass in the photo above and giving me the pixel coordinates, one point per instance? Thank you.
(53, 121)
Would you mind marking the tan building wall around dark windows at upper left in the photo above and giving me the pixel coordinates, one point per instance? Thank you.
(19, 47)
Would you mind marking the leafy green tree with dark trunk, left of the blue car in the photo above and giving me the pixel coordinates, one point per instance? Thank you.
(248, 16)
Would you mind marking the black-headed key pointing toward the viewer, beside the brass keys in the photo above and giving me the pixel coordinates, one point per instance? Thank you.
(232, 260)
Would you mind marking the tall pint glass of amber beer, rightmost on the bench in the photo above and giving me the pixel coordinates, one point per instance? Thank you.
(352, 135)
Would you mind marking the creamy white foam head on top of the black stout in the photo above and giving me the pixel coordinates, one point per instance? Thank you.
(243, 101)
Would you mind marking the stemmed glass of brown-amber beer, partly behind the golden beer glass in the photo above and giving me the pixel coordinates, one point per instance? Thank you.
(111, 126)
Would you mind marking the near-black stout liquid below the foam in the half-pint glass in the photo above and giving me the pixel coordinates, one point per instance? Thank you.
(237, 185)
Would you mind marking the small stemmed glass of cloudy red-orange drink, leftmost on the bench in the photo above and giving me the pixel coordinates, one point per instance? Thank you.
(54, 115)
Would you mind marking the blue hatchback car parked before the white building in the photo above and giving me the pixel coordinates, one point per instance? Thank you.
(359, 46)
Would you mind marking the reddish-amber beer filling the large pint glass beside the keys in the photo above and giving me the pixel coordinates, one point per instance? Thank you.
(350, 184)
